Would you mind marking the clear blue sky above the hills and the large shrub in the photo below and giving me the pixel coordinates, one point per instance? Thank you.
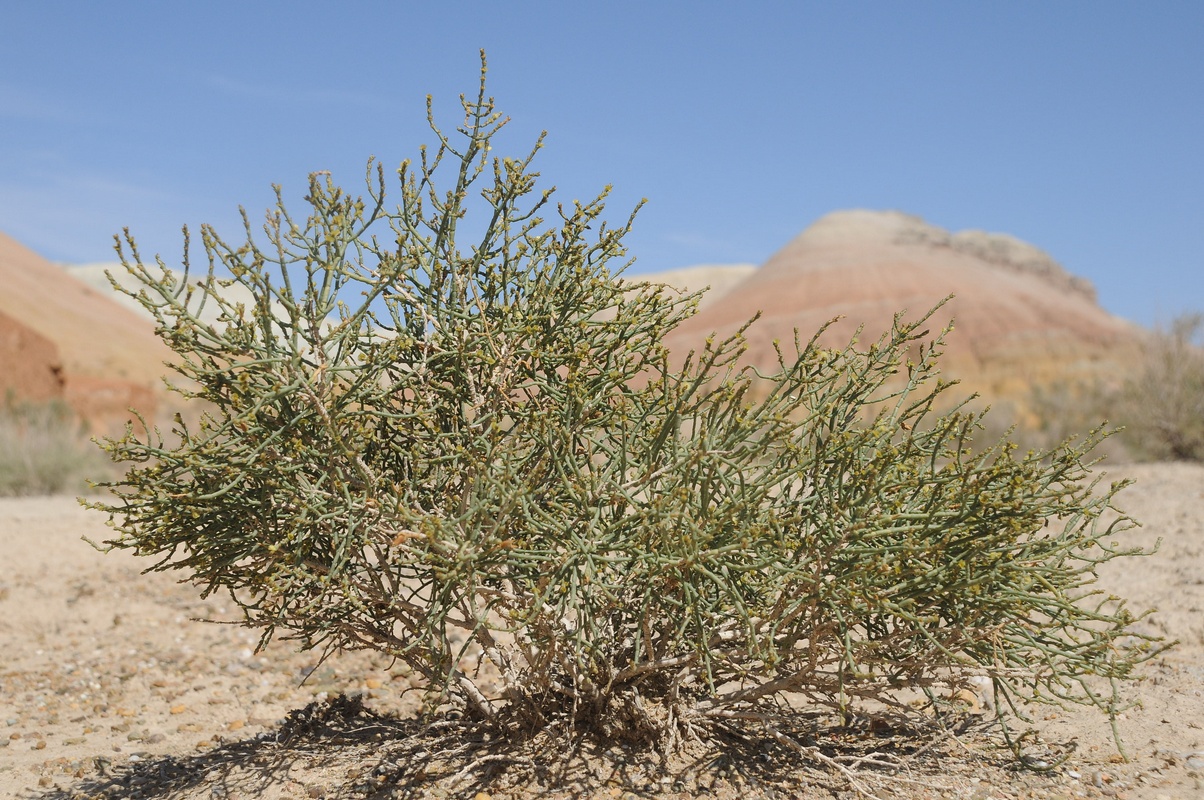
(1076, 126)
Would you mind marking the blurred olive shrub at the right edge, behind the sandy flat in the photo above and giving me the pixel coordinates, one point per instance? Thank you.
(1162, 404)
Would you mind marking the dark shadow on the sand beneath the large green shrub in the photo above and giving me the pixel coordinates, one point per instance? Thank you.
(340, 750)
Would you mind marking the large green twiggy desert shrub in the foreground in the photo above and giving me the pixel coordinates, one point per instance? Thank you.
(474, 449)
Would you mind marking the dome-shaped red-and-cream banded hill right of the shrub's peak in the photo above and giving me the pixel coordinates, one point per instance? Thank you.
(1020, 319)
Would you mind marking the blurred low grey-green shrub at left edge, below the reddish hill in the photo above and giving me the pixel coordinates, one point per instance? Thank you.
(45, 450)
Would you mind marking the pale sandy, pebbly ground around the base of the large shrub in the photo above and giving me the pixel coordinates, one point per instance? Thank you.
(110, 689)
